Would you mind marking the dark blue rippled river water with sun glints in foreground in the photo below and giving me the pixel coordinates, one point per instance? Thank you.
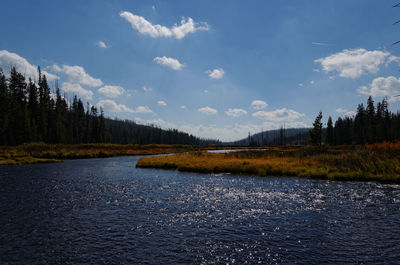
(107, 211)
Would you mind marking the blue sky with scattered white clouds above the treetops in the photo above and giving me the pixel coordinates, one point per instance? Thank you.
(217, 69)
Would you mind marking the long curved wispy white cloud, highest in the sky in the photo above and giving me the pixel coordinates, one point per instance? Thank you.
(147, 28)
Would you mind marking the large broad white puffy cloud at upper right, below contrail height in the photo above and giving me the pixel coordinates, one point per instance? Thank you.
(355, 62)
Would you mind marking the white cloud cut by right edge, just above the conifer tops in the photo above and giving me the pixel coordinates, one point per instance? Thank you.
(383, 87)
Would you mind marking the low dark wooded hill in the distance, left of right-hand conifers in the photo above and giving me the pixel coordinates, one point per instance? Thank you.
(276, 137)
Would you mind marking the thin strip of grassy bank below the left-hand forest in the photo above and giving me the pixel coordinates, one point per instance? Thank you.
(44, 153)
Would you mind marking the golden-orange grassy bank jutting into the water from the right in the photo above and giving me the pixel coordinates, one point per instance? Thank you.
(378, 162)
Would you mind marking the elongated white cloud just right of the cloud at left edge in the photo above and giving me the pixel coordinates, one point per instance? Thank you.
(76, 74)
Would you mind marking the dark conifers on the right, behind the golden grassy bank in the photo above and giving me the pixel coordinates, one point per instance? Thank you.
(371, 124)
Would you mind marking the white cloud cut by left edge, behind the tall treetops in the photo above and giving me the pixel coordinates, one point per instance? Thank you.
(10, 59)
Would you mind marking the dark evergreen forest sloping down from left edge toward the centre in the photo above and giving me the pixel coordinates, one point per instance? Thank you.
(29, 112)
